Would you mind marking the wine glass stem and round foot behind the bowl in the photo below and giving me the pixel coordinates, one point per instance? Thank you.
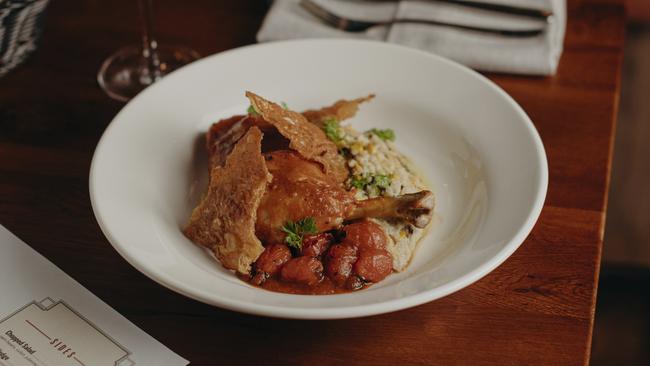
(133, 68)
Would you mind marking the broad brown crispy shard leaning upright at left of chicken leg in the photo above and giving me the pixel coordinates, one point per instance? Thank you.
(224, 220)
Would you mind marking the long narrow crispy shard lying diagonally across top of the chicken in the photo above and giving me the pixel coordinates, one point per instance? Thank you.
(305, 138)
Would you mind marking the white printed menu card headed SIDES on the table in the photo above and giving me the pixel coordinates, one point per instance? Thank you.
(48, 319)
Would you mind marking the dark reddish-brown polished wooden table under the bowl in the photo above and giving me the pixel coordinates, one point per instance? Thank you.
(537, 308)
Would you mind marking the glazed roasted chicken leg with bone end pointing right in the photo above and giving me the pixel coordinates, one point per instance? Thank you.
(300, 189)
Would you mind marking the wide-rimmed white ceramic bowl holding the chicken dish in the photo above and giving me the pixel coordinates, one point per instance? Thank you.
(478, 149)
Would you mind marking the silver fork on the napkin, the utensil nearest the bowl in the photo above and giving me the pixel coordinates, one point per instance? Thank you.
(354, 25)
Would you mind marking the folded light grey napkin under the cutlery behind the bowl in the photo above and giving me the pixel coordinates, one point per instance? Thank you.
(537, 55)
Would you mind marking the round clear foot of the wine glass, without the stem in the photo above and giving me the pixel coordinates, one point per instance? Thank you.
(126, 72)
